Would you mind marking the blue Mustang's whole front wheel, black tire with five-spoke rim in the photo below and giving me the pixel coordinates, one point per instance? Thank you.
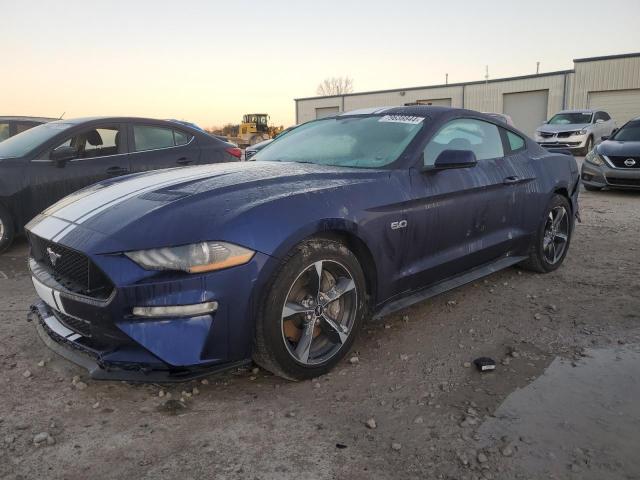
(289, 313)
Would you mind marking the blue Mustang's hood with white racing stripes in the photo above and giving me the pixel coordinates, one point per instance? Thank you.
(187, 205)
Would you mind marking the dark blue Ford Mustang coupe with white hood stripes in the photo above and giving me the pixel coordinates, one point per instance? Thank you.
(175, 273)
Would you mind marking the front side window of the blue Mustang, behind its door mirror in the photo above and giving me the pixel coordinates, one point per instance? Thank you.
(480, 137)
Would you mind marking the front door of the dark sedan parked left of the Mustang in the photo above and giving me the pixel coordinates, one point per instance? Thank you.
(100, 152)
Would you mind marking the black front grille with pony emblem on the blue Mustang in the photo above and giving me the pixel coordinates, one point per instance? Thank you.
(72, 269)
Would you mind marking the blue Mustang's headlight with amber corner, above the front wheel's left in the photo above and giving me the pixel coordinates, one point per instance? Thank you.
(195, 258)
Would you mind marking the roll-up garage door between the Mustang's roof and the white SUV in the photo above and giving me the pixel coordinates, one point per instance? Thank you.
(528, 110)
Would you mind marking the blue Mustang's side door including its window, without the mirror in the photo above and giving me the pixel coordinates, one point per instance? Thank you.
(461, 217)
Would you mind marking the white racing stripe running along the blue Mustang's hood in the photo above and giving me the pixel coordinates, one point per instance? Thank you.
(84, 207)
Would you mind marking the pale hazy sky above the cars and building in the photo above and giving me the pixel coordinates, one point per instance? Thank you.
(210, 62)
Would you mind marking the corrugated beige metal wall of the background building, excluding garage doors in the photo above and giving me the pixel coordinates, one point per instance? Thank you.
(566, 89)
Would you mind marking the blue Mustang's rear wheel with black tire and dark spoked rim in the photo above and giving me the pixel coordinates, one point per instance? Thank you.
(541, 250)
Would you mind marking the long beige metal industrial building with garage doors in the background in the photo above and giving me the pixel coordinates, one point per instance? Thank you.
(610, 83)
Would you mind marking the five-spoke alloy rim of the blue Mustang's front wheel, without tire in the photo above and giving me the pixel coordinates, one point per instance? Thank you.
(319, 312)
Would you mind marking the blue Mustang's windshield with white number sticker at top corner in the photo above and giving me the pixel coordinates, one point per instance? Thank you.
(362, 142)
